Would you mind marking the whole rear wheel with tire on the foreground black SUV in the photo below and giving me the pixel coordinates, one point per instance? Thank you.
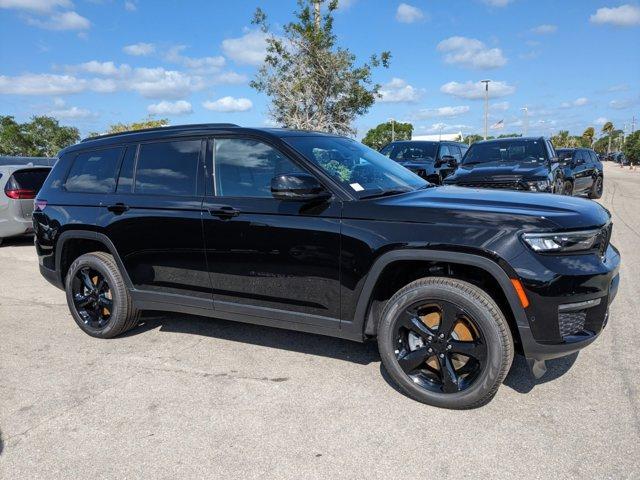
(97, 296)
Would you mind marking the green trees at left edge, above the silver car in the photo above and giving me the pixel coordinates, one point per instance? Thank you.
(43, 136)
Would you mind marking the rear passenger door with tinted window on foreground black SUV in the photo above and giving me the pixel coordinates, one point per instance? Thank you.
(154, 220)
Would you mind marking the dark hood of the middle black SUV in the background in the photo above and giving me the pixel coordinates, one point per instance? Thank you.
(499, 171)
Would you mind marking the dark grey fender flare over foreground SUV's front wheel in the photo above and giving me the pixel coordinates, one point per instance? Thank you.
(361, 315)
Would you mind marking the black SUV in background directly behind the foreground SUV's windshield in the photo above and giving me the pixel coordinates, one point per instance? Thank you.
(432, 161)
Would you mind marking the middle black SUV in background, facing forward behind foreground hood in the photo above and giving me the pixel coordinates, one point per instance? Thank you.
(528, 164)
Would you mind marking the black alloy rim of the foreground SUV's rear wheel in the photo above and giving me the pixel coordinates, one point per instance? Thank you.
(92, 298)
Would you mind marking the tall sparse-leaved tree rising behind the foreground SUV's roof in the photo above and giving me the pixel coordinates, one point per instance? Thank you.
(314, 84)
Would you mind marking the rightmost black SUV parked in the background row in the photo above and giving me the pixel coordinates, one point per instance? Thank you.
(583, 172)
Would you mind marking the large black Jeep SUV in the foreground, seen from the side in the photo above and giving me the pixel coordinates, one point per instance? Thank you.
(319, 233)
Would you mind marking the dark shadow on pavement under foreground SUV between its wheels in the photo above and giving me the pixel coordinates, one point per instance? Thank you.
(361, 353)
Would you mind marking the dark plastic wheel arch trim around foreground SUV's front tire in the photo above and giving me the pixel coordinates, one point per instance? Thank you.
(365, 319)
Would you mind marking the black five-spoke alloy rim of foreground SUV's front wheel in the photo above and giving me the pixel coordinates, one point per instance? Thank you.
(439, 346)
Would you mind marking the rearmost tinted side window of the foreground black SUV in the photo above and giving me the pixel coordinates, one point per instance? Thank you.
(94, 171)
